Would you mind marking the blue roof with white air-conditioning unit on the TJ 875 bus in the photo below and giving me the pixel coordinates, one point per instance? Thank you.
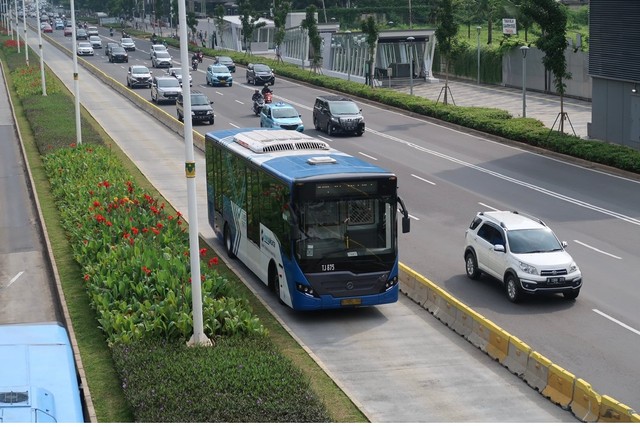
(292, 155)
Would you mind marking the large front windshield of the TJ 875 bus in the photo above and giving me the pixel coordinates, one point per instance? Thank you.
(349, 228)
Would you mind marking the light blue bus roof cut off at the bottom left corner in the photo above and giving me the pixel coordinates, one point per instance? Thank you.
(38, 376)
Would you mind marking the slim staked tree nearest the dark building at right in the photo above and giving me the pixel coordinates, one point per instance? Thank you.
(551, 16)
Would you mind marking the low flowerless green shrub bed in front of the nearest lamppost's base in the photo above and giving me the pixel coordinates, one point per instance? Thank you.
(237, 380)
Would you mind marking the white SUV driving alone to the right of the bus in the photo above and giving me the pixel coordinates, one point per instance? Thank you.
(522, 252)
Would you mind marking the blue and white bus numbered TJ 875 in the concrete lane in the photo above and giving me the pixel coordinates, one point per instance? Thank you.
(316, 225)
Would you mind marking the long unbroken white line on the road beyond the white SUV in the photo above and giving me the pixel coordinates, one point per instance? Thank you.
(533, 187)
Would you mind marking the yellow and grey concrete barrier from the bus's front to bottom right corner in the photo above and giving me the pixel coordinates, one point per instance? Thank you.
(555, 383)
